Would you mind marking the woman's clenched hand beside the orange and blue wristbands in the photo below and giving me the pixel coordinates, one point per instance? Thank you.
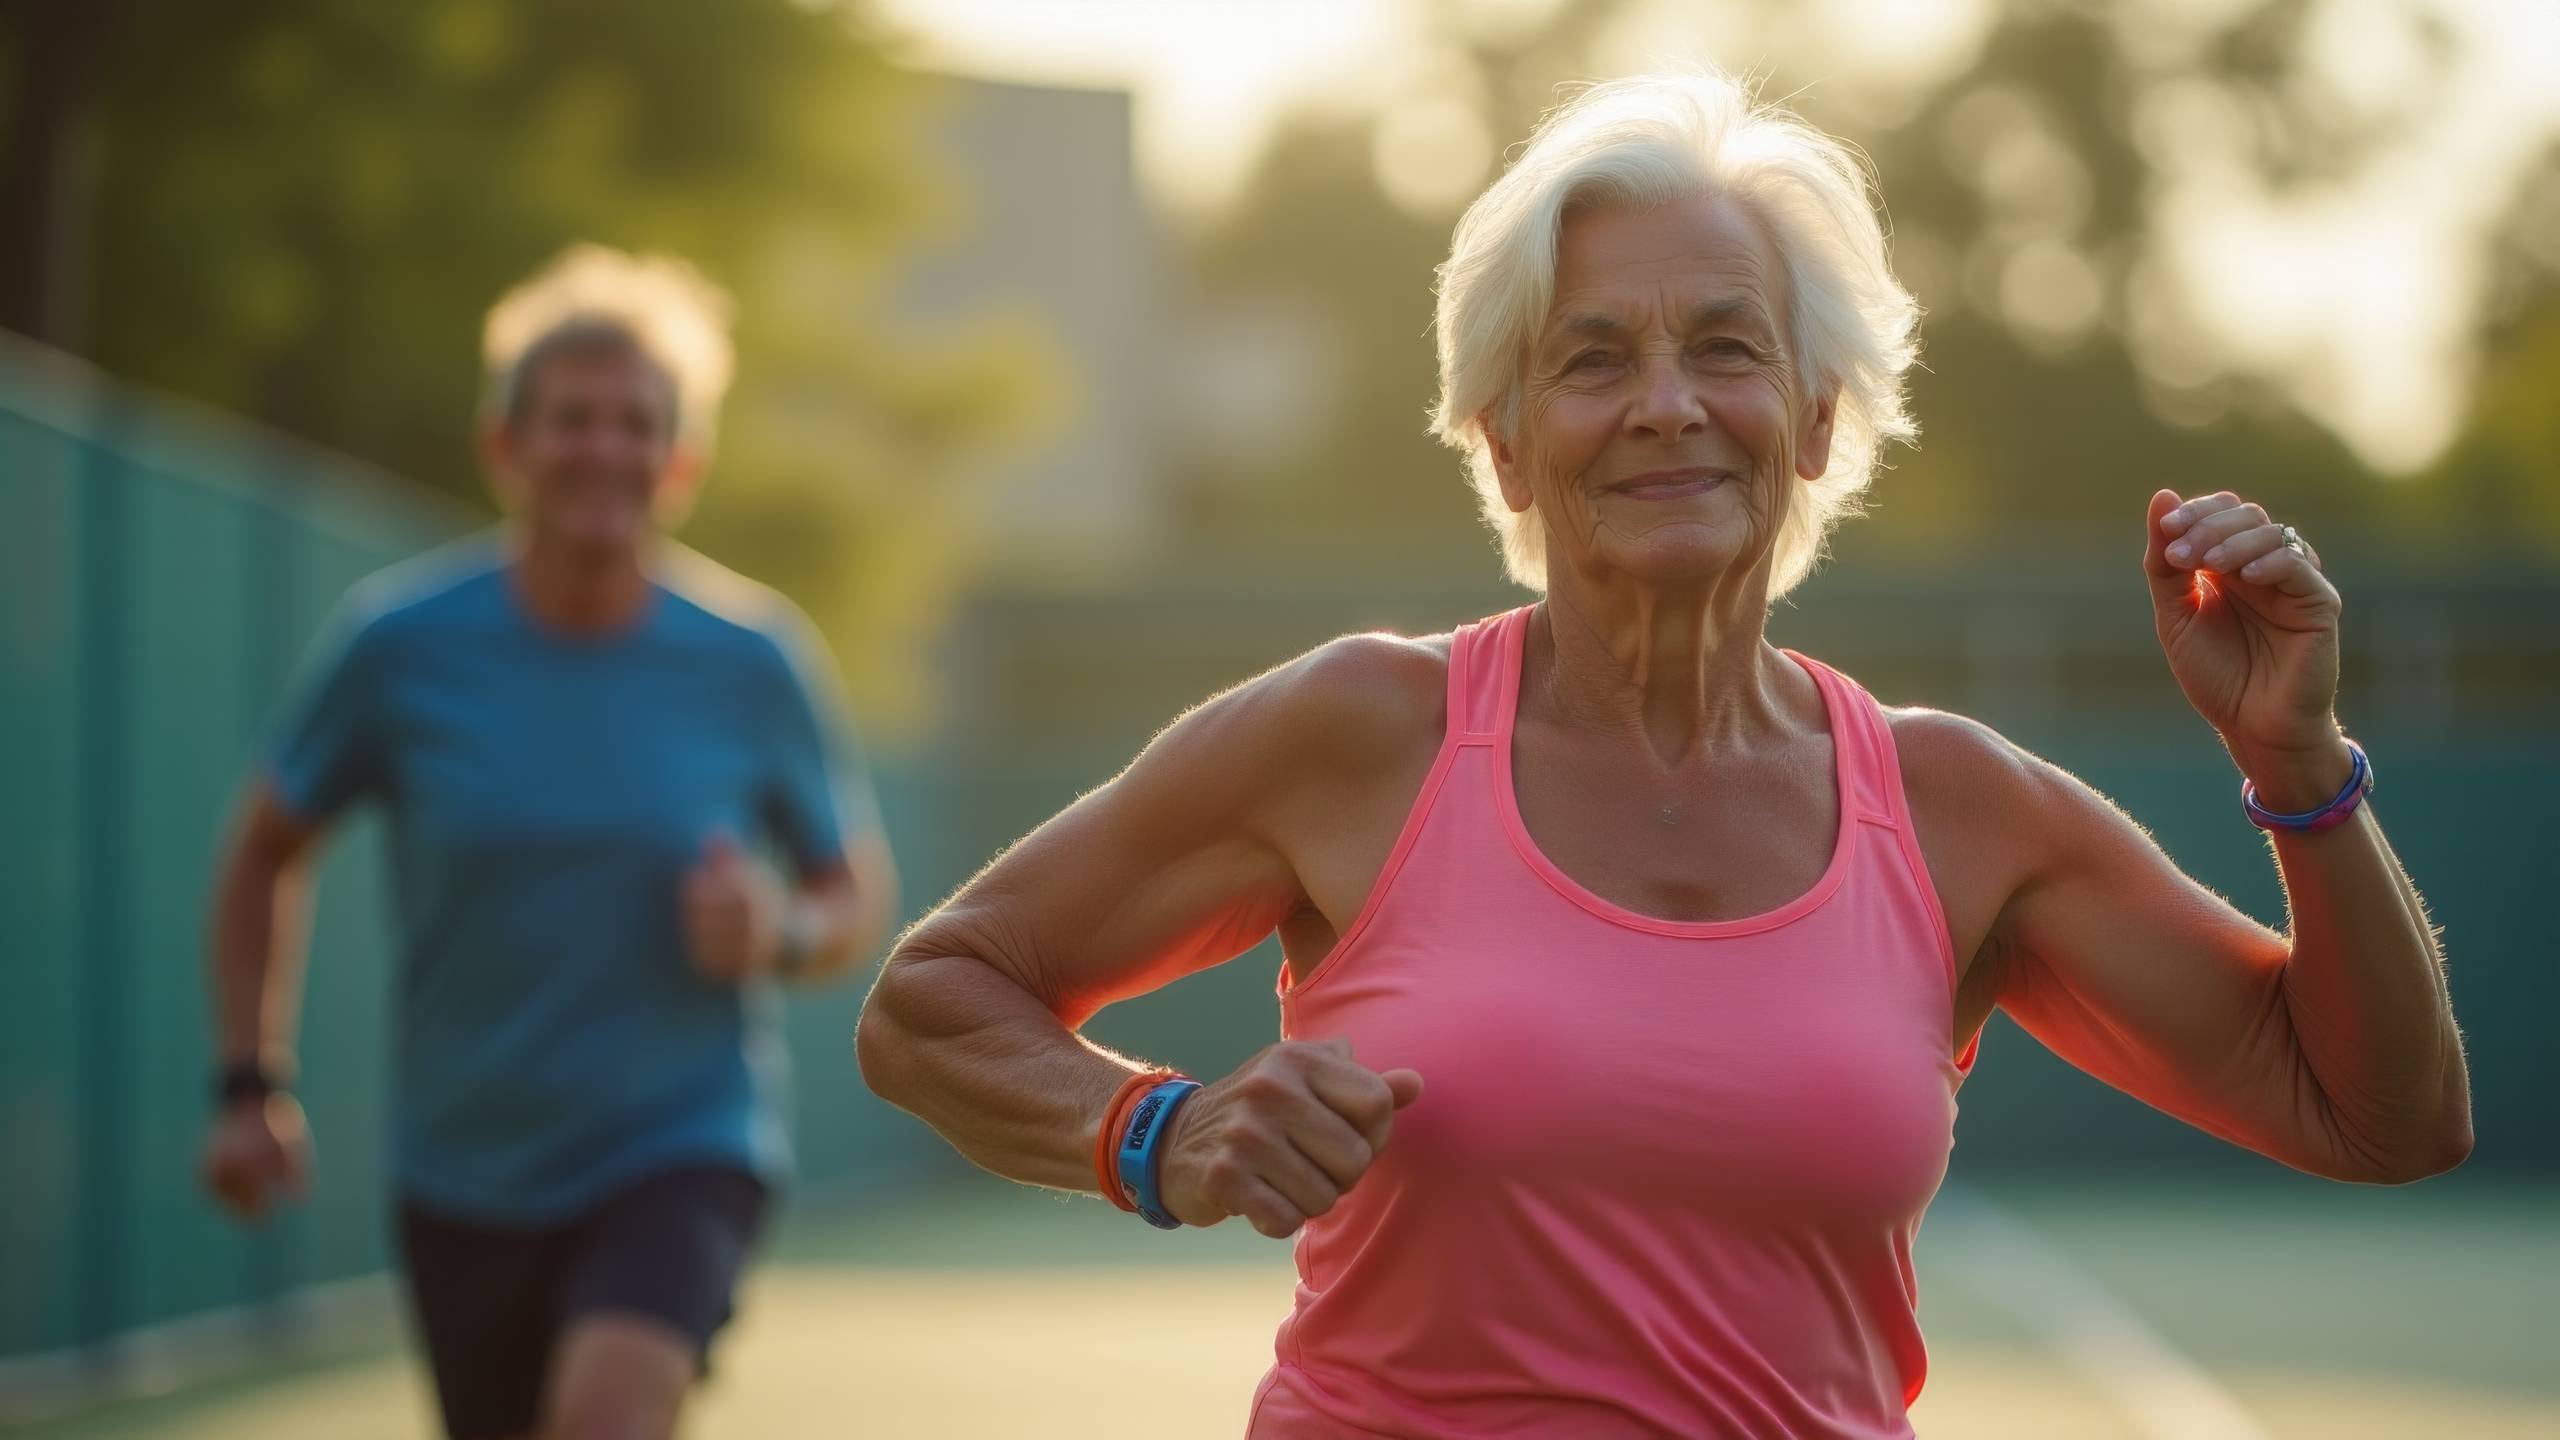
(1281, 1139)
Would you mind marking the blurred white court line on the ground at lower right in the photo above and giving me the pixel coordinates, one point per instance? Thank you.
(2085, 1323)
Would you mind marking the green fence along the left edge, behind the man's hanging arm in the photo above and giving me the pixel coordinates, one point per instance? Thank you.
(163, 573)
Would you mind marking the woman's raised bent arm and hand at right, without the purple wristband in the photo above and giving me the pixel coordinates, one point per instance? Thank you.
(2331, 1049)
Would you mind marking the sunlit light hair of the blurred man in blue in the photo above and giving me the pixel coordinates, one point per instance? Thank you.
(598, 296)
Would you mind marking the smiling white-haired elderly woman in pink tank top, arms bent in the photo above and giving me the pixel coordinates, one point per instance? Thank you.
(1632, 962)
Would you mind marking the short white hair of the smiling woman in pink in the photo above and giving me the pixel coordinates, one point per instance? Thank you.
(1645, 142)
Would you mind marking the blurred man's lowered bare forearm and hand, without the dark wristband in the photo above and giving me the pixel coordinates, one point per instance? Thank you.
(260, 929)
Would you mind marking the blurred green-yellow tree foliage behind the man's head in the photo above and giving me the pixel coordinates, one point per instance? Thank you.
(303, 209)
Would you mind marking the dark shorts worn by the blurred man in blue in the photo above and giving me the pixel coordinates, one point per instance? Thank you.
(493, 1303)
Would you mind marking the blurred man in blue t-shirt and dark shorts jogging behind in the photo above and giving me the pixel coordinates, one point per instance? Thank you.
(580, 737)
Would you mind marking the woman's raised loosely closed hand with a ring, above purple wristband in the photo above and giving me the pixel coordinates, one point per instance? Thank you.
(2252, 632)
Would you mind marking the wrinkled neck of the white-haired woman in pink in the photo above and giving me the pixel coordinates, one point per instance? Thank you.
(1683, 667)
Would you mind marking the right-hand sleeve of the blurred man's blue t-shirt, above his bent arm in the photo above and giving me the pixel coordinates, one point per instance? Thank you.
(818, 790)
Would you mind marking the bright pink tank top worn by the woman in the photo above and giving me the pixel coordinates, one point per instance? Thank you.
(1663, 1177)
